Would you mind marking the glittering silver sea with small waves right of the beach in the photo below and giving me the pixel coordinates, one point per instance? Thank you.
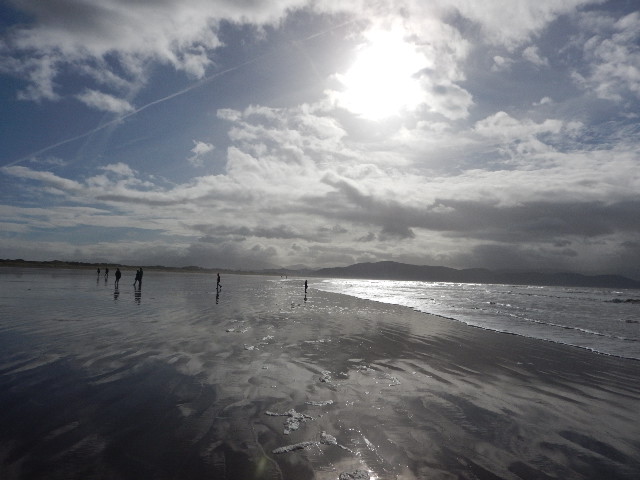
(602, 320)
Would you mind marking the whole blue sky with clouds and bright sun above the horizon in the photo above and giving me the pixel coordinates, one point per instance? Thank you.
(501, 134)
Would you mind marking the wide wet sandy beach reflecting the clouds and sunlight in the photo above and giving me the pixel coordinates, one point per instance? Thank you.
(178, 381)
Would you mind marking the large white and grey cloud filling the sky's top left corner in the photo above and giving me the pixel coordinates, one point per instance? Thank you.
(82, 34)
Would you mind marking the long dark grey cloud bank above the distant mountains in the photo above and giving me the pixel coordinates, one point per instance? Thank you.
(538, 221)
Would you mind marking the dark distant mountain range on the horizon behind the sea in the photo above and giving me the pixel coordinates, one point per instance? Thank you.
(402, 271)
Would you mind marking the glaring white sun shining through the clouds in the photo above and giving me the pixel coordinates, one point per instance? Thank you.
(382, 81)
